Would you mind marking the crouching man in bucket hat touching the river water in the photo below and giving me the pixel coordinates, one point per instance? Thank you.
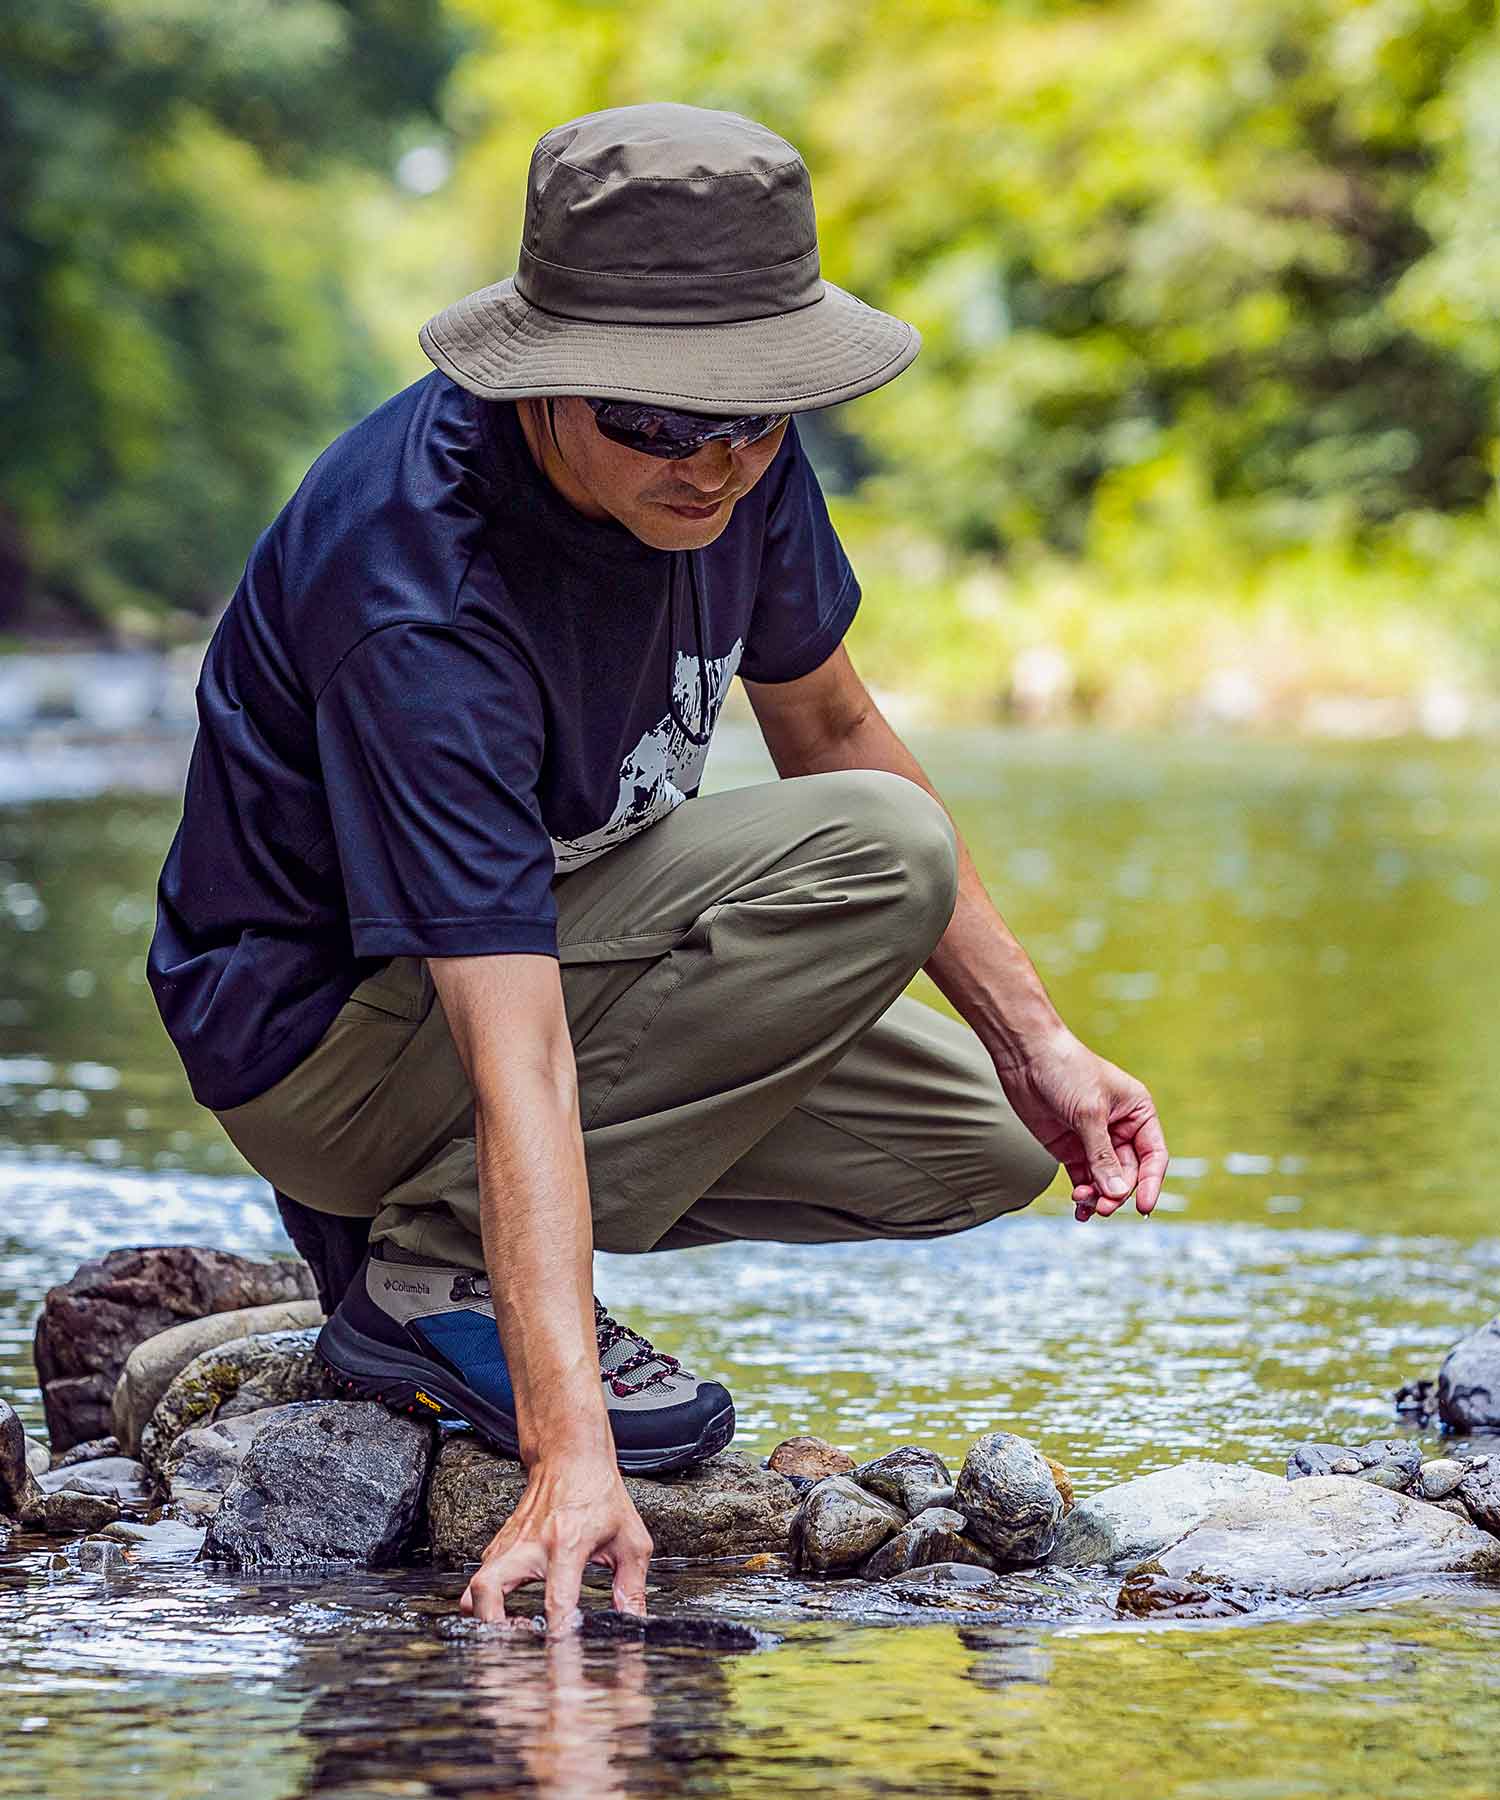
(438, 940)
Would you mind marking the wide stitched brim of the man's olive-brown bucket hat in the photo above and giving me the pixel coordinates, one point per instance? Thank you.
(500, 346)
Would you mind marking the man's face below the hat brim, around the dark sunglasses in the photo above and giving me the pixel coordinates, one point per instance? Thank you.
(646, 492)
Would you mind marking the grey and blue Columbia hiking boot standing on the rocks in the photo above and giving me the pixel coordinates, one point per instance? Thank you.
(422, 1338)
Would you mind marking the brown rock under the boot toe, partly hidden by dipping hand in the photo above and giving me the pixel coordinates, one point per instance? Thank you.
(723, 1507)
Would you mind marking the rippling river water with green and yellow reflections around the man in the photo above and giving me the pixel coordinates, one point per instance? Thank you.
(1292, 944)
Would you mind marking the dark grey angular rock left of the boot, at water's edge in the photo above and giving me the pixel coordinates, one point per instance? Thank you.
(336, 1486)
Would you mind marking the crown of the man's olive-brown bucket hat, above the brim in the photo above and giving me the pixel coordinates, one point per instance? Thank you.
(667, 215)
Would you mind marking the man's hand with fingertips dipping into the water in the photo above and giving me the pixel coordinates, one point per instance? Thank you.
(574, 1511)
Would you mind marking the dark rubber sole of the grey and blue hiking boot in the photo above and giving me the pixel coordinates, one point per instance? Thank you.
(411, 1385)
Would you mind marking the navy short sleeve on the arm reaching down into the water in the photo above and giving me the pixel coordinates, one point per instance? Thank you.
(431, 742)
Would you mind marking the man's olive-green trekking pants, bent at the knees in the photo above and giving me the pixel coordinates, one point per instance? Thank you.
(748, 1066)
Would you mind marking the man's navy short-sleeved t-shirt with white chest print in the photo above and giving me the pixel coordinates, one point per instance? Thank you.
(437, 688)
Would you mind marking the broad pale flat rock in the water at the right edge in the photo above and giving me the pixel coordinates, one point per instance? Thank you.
(1310, 1538)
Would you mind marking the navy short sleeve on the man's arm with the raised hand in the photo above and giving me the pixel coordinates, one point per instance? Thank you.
(808, 591)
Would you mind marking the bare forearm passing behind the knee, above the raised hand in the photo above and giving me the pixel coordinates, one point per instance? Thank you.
(977, 964)
